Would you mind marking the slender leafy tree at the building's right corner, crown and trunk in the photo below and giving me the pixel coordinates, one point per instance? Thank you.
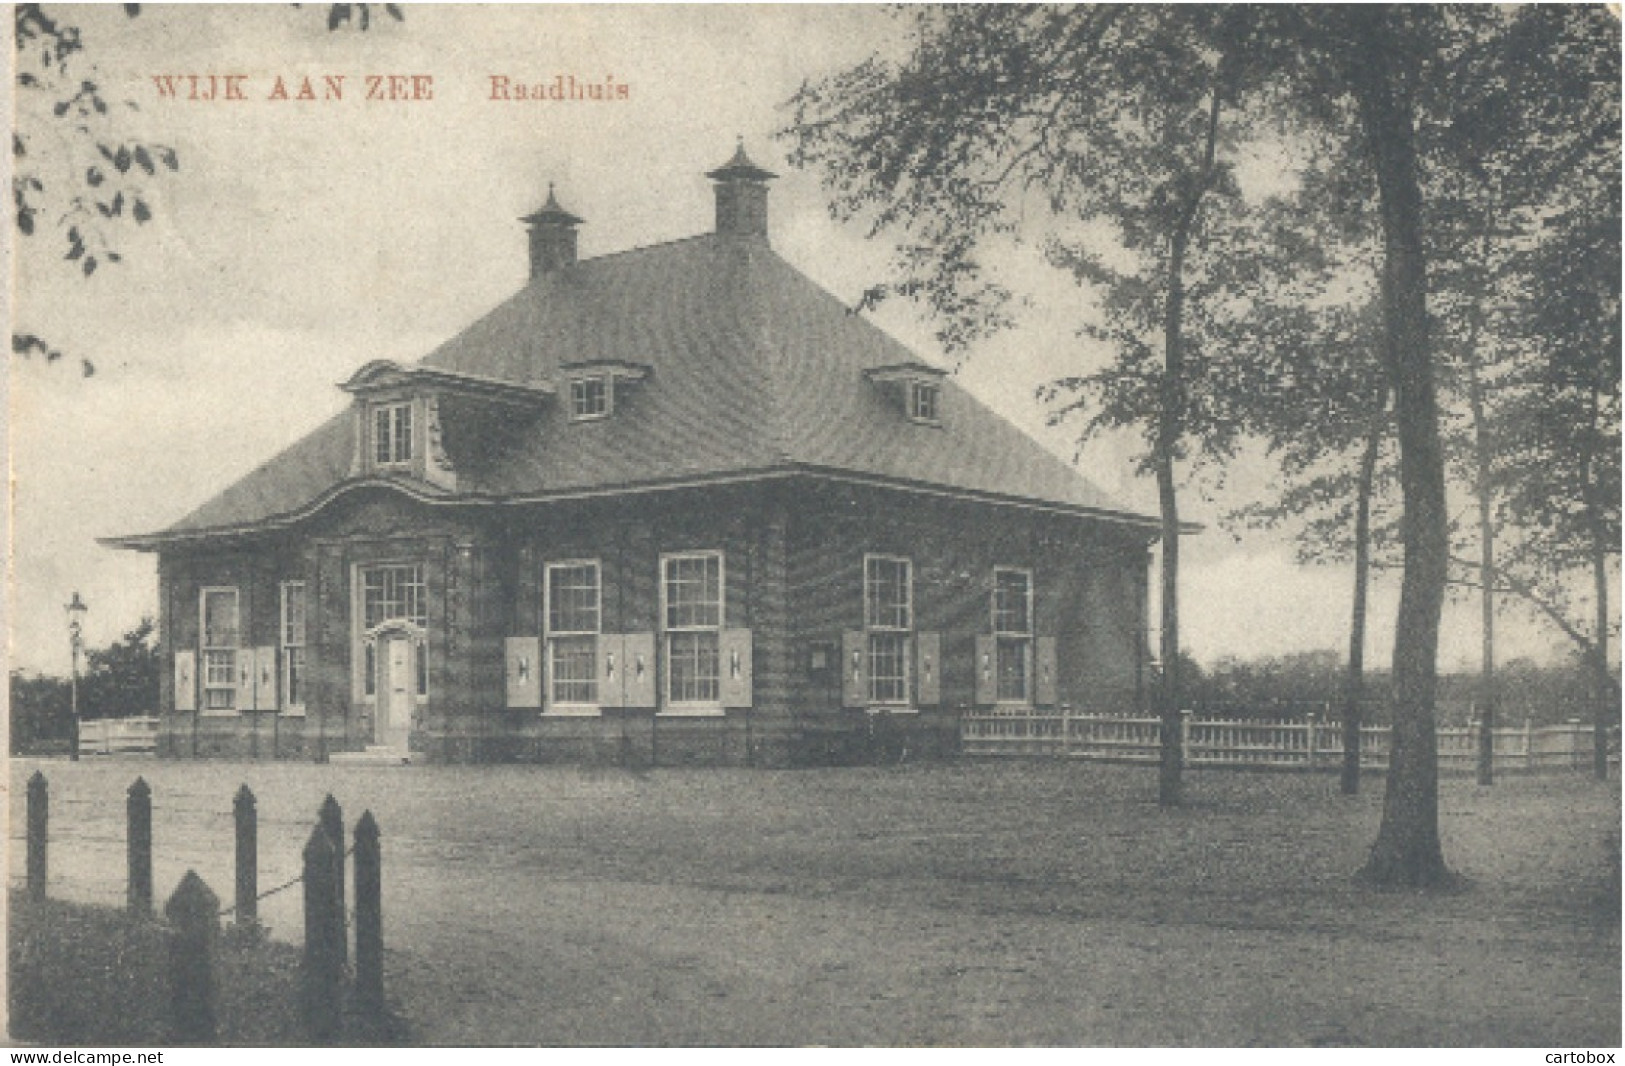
(1112, 126)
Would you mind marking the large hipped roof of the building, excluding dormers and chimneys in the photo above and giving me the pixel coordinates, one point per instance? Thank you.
(755, 371)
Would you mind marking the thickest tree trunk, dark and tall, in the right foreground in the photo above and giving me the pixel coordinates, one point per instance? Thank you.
(1406, 851)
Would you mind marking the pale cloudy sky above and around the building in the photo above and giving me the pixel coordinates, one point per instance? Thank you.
(301, 240)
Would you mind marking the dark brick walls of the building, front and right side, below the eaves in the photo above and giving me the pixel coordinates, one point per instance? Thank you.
(794, 576)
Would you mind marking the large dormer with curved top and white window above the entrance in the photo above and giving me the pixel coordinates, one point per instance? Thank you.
(418, 423)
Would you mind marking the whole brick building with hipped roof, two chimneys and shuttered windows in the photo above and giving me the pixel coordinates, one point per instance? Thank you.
(674, 505)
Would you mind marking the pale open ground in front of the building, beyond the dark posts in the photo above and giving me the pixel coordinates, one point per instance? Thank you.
(956, 904)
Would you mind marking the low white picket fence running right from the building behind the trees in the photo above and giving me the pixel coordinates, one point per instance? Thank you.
(1302, 743)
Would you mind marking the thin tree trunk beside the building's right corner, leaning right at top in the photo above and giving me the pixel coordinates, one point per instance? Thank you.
(1171, 427)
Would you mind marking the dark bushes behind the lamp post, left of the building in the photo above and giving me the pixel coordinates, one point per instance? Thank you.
(118, 682)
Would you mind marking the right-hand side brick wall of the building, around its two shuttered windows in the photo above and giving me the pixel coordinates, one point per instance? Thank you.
(1088, 591)
